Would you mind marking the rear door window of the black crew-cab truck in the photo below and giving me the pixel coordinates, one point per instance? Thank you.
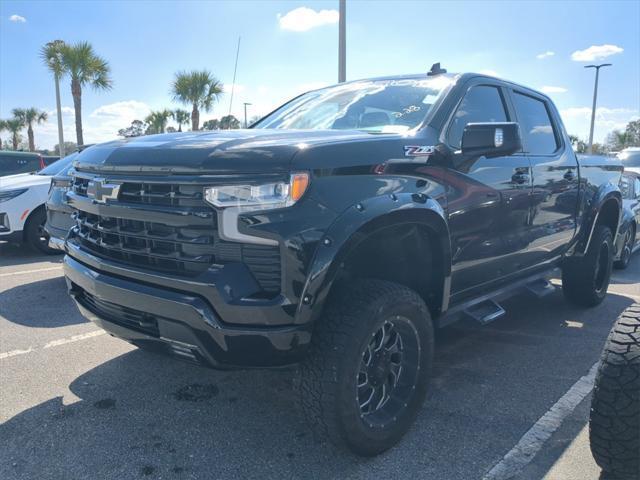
(536, 127)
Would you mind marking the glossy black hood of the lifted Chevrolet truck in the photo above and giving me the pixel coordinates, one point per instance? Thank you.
(216, 152)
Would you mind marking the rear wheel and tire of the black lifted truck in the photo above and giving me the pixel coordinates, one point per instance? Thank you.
(585, 279)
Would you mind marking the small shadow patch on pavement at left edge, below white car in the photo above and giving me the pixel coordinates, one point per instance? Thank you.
(41, 304)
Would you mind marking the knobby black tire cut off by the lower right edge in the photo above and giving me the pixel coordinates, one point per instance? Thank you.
(614, 424)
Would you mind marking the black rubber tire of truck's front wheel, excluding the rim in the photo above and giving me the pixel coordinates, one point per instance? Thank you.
(326, 381)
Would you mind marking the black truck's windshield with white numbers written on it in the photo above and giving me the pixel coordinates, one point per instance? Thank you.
(378, 106)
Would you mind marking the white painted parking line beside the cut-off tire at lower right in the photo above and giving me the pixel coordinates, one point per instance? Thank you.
(532, 441)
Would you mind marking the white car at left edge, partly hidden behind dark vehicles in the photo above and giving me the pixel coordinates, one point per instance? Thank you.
(22, 206)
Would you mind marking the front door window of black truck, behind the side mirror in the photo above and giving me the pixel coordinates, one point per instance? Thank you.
(481, 103)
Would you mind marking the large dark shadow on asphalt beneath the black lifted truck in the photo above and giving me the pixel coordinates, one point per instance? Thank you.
(140, 415)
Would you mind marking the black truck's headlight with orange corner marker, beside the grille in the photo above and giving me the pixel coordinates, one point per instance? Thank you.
(259, 197)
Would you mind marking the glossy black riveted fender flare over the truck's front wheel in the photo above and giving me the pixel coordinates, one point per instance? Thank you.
(355, 225)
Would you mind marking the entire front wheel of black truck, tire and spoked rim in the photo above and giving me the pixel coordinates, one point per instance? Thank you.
(367, 374)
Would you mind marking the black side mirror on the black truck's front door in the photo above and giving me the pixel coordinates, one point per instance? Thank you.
(491, 139)
